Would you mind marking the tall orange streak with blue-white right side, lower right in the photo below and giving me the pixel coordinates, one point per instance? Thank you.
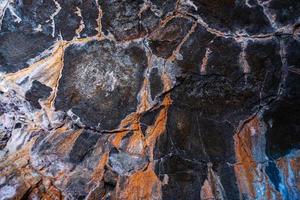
(250, 175)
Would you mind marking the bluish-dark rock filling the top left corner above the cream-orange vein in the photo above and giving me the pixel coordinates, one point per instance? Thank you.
(19, 39)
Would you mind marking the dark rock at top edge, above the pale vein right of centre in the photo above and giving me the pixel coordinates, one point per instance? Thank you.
(231, 15)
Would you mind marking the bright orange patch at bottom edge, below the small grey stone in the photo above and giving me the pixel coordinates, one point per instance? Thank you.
(141, 185)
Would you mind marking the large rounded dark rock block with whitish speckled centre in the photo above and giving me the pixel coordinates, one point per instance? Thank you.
(100, 82)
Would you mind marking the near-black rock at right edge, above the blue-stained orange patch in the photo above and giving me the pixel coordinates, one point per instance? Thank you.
(283, 117)
